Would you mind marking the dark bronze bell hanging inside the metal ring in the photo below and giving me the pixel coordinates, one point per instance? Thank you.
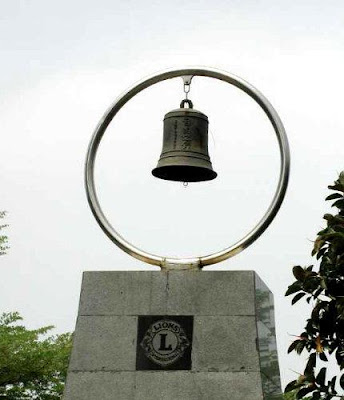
(184, 155)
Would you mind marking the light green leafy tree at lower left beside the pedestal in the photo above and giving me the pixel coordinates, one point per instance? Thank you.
(31, 367)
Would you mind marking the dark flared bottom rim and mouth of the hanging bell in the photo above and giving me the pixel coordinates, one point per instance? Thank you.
(184, 173)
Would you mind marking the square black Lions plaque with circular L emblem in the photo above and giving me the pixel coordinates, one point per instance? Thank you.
(164, 342)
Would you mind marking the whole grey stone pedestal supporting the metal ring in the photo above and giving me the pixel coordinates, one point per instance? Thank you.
(203, 335)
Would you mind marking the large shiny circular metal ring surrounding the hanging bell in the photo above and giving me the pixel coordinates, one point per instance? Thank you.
(194, 262)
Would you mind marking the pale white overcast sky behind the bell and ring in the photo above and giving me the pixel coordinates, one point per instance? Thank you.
(64, 62)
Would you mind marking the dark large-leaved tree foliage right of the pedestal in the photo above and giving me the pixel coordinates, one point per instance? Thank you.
(324, 331)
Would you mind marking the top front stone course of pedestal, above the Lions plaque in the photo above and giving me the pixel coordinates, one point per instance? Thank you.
(173, 292)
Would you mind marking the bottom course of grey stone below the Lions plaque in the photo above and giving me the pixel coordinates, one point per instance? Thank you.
(163, 386)
